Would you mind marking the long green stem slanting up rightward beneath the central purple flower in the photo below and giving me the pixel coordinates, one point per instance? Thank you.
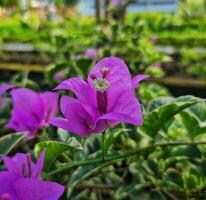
(122, 156)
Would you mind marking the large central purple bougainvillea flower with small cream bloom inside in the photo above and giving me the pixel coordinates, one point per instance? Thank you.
(107, 98)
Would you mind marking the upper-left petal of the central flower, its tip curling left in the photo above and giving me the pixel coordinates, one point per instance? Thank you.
(82, 90)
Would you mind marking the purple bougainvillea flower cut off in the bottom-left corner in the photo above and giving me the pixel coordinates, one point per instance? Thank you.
(22, 180)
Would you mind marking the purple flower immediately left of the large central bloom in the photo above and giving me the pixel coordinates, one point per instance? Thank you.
(31, 110)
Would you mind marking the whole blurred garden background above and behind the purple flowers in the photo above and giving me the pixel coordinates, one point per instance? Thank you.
(43, 42)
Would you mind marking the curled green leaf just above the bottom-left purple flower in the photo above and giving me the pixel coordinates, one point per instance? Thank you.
(54, 149)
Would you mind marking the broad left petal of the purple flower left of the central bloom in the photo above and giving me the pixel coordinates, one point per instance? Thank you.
(28, 111)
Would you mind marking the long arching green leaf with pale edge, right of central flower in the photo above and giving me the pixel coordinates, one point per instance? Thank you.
(156, 119)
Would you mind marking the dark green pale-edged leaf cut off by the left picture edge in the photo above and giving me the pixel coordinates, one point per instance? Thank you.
(8, 142)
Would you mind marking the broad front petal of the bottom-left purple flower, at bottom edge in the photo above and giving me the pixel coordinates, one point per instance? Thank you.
(38, 190)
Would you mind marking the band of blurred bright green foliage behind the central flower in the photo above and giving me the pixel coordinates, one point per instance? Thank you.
(65, 42)
